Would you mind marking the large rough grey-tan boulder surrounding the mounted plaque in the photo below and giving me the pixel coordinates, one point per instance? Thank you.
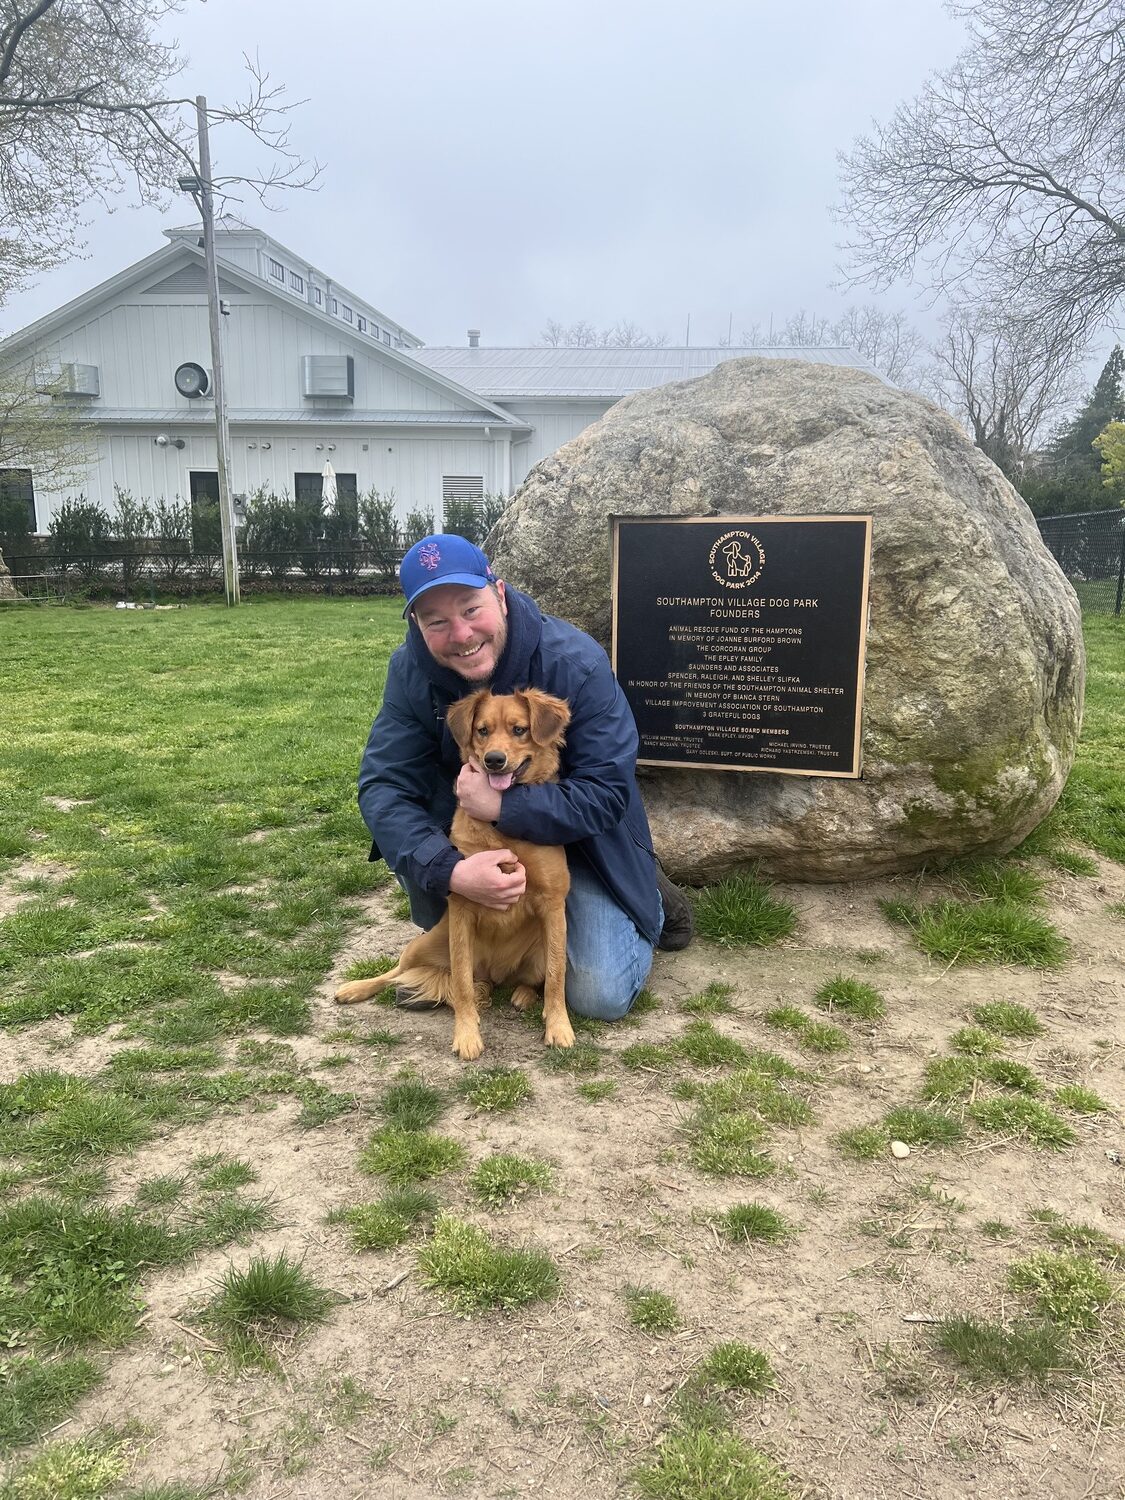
(974, 655)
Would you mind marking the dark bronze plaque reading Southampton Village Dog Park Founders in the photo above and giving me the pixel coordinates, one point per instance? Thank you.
(739, 641)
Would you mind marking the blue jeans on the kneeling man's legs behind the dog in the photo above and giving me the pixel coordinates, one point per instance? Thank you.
(608, 959)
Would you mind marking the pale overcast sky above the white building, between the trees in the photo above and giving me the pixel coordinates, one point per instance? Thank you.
(499, 166)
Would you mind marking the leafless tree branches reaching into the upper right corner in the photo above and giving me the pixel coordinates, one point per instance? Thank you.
(1007, 173)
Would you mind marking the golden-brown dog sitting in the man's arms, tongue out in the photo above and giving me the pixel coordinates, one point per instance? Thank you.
(512, 739)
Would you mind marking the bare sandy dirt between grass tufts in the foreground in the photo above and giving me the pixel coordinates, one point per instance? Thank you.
(566, 1399)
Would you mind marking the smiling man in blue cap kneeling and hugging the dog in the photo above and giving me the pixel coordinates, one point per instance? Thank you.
(470, 631)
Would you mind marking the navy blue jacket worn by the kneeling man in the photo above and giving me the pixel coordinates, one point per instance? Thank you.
(595, 809)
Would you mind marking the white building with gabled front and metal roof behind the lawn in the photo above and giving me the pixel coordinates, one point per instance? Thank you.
(314, 373)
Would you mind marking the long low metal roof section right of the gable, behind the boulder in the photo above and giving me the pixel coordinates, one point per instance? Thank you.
(545, 373)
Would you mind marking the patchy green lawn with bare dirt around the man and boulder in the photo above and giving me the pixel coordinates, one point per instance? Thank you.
(358, 1261)
